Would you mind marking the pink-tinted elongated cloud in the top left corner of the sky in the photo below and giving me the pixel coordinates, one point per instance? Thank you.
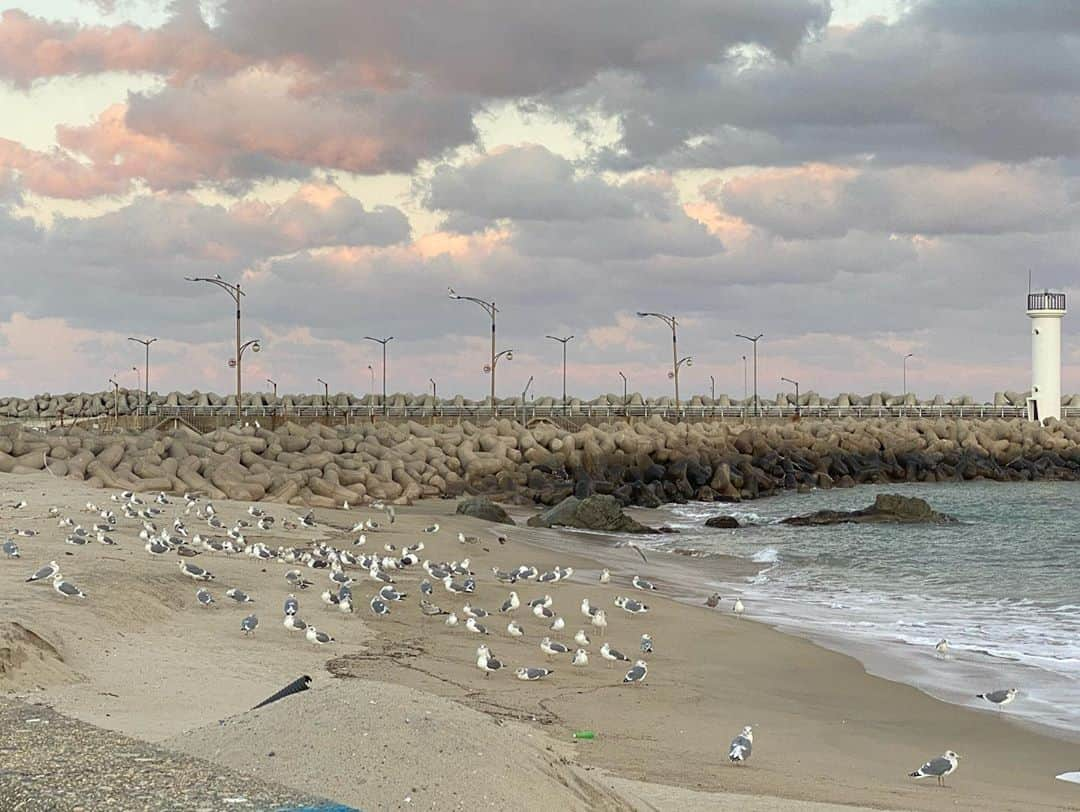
(32, 48)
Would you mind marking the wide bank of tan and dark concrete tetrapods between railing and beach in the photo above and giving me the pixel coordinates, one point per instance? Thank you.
(646, 463)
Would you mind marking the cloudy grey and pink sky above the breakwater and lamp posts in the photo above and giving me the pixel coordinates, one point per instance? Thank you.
(857, 181)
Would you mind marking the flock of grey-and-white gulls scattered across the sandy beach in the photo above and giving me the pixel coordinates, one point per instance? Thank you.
(347, 566)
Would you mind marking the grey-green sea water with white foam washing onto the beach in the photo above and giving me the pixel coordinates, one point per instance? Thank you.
(1003, 586)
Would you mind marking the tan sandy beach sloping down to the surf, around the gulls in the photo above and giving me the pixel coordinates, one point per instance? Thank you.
(400, 718)
